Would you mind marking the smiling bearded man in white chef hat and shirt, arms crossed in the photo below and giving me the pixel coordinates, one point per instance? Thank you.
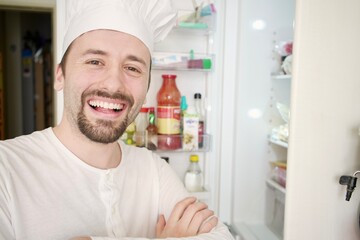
(77, 180)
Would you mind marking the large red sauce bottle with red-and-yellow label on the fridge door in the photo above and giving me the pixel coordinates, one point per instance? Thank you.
(168, 114)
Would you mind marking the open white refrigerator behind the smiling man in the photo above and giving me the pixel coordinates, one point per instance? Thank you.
(241, 92)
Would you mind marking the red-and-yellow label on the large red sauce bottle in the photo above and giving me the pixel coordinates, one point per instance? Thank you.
(168, 118)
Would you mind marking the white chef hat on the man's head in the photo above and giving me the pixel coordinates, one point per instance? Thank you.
(148, 20)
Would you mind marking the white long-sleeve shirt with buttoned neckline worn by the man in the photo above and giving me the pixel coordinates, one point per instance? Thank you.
(46, 192)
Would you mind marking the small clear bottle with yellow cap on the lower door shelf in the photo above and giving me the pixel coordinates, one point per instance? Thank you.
(193, 176)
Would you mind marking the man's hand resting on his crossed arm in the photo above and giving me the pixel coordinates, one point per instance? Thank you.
(188, 218)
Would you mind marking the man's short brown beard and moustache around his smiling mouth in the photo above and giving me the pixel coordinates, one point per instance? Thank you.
(103, 131)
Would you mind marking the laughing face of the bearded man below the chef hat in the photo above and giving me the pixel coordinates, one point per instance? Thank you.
(105, 83)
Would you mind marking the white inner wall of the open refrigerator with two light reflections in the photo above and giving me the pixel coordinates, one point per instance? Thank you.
(256, 204)
